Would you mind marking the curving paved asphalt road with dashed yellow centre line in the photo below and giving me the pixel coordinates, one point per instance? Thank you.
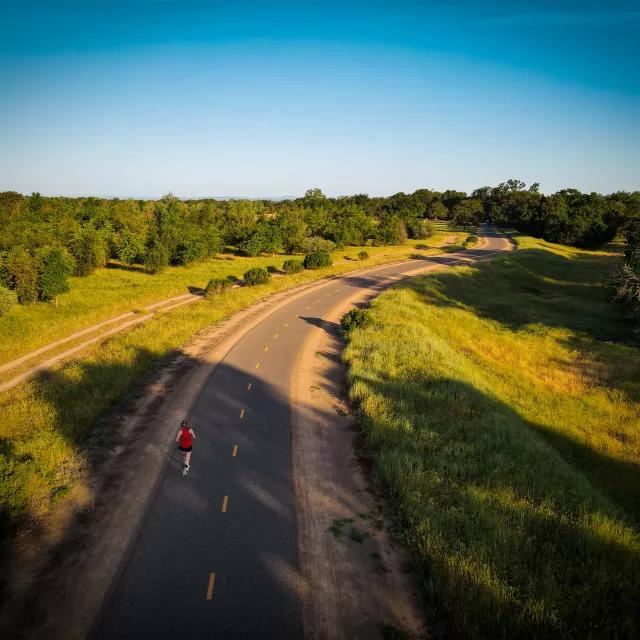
(217, 554)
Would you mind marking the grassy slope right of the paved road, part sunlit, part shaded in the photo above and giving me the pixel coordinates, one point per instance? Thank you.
(501, 403)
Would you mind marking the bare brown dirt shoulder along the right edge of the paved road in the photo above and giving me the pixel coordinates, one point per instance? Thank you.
(354, 574)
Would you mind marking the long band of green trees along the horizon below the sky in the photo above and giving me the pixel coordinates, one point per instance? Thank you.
(43, 240)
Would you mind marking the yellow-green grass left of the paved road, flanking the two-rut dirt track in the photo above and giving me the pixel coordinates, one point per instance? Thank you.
(44, 422)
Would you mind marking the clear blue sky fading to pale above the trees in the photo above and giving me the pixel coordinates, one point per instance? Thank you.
(137, 98)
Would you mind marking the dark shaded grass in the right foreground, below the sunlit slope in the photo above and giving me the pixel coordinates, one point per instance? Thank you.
(513, 541)
